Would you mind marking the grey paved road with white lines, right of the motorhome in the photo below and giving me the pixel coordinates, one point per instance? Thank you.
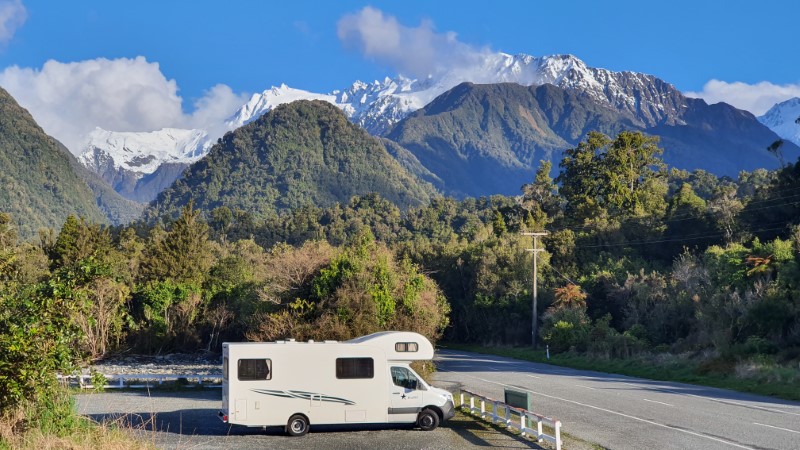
(619, 412)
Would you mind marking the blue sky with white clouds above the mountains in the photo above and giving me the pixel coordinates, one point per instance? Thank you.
(144, 65)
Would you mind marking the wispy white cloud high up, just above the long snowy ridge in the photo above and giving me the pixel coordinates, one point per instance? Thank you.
(418, 52)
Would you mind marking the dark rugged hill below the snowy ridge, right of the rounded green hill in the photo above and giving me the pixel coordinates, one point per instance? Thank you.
(488, 139)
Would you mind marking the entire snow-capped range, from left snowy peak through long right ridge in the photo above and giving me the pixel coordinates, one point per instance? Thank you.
(377, 106)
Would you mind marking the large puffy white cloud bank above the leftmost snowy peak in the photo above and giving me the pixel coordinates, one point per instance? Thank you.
(69, 100)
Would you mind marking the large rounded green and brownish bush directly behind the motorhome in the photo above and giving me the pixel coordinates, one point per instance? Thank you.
(361, 289)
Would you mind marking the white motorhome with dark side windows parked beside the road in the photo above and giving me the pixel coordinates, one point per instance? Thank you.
(360, 381)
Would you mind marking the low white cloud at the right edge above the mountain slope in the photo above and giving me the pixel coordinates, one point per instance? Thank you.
(756, 98)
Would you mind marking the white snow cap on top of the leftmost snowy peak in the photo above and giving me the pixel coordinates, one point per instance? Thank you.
(143, 152)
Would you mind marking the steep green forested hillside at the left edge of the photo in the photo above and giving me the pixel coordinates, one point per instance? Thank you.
(38, 185)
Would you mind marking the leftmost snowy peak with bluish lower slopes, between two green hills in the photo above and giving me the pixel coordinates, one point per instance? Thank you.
(140, 165)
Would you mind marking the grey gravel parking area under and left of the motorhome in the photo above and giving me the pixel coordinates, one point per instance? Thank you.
(188, 420)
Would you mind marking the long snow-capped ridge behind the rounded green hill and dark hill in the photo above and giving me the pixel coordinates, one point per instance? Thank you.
(378, 105)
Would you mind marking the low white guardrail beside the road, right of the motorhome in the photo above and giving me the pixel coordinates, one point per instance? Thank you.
(503, 413)
